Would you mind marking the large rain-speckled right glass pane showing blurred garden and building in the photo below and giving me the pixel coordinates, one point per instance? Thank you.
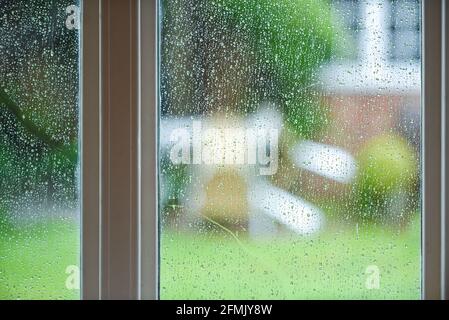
(289, 167)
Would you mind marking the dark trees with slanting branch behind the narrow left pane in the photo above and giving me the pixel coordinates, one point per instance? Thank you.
(38, 101)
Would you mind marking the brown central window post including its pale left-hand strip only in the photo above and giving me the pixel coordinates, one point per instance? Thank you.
(110, 150)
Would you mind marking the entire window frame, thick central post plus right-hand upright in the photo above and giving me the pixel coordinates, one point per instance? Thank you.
(119, 149)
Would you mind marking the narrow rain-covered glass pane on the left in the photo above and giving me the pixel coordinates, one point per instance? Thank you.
(39, 168)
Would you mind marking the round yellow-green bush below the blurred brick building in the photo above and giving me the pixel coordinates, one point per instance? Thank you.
(387, 169)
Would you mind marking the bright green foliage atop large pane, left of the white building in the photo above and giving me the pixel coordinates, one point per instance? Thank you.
(292, 37)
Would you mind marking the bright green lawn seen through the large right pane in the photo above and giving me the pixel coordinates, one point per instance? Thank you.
(331, 266)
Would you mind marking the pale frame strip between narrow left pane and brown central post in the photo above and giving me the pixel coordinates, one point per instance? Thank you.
(90, 150)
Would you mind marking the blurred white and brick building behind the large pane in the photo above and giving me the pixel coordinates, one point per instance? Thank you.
(375, 86)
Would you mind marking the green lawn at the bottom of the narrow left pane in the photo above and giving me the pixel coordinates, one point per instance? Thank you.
(34, 258)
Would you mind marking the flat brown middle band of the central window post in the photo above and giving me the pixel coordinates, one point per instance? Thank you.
(119, 150)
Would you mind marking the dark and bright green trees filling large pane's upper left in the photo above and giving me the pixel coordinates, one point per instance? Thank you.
(260, 50)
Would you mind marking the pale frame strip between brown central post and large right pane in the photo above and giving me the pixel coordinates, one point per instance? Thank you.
(148, 111)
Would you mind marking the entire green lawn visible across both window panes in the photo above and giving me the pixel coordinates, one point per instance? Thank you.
(211, 265)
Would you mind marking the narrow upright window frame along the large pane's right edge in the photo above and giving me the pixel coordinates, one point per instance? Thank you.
(433, 159)
